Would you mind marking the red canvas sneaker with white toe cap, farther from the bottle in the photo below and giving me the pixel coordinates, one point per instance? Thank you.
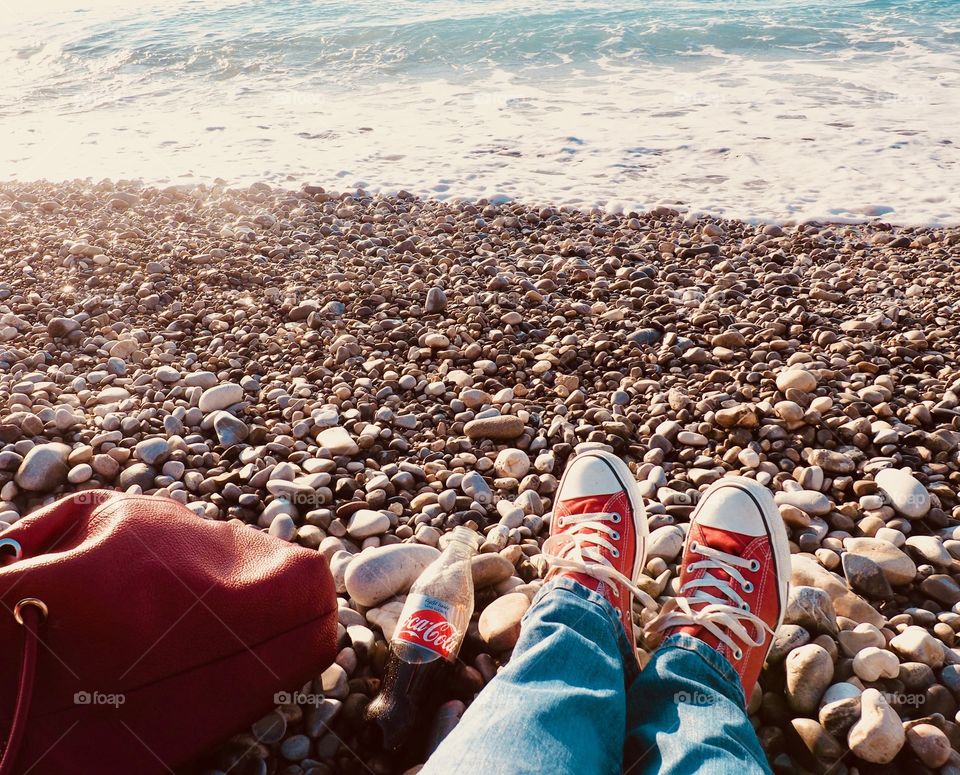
(735, 576)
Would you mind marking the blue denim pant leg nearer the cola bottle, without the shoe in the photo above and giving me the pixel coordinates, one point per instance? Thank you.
(559, 706)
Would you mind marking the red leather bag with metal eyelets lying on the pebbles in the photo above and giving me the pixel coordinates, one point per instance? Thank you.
(147, 633)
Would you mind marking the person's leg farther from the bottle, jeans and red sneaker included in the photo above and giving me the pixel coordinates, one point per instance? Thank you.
(687, 710)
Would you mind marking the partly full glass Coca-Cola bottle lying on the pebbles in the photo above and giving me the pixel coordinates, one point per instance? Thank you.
(424, 645)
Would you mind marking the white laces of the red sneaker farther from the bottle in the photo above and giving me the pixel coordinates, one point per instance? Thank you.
(726, 618)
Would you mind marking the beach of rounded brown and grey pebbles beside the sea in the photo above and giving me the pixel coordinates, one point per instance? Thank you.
(360, 373)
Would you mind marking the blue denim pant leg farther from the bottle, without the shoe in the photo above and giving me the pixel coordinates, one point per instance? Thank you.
(686, 715)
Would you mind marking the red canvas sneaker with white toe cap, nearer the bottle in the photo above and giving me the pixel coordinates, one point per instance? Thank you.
(598, 532)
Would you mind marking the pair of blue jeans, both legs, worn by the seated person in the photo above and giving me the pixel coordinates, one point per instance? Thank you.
(569, 701)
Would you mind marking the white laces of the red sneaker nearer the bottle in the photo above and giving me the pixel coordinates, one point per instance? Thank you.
(578, 549)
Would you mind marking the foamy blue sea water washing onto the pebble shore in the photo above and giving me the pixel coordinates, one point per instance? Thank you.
(781, 110)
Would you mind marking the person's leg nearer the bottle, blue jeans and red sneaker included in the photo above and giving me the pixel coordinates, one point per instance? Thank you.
(559, 706)
